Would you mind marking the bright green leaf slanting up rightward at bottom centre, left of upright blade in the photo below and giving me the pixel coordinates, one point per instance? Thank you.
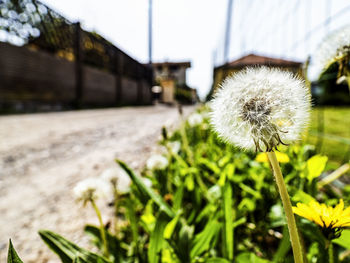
(203, 239)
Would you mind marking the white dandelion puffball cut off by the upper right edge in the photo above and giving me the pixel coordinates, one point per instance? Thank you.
(333, 47)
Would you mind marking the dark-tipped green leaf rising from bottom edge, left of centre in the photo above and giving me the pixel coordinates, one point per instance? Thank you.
(157, 238)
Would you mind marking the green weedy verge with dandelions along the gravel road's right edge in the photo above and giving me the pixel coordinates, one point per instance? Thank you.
(202, 200)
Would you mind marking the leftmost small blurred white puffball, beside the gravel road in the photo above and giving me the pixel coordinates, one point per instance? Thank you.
(91, 189)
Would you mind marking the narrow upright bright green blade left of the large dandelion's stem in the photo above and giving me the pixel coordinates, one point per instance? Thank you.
(229, 217)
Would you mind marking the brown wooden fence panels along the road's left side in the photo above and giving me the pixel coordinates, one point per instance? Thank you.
(37, 80)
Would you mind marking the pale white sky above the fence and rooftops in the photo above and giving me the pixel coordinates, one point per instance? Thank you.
(194, 30)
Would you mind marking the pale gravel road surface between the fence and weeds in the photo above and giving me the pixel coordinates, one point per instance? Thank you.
(42, 157)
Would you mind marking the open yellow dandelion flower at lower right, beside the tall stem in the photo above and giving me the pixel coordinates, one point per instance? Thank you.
(331, 219)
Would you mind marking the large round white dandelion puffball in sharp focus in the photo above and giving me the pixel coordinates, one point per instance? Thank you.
(260, 108)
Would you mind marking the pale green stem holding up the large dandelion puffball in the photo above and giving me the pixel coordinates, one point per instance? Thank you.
(292, 227)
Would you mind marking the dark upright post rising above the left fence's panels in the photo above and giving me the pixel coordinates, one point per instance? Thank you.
(78, 52)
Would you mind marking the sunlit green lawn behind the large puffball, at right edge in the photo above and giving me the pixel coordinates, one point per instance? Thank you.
(330, 133)
